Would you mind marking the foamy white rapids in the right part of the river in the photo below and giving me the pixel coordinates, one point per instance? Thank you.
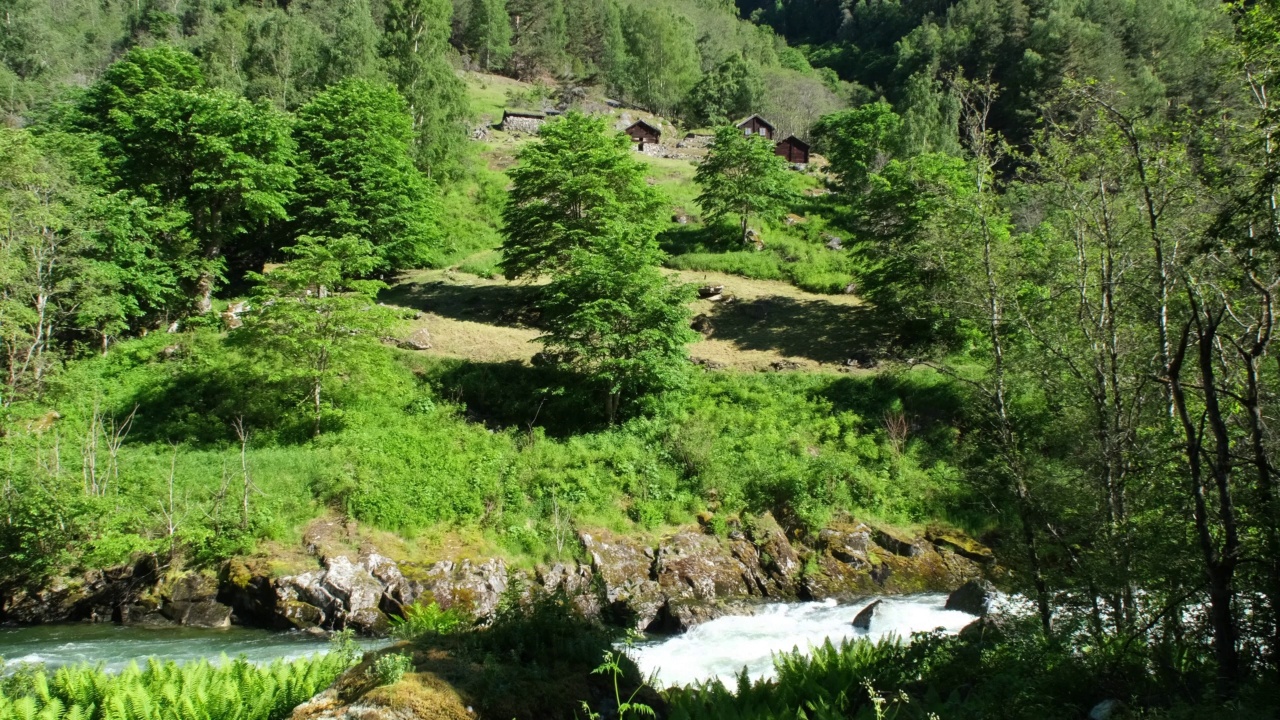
(723, 648)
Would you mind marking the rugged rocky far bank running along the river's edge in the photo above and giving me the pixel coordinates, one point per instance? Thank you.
(671, 585)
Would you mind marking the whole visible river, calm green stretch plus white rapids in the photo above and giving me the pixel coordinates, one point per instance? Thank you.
(720, 649)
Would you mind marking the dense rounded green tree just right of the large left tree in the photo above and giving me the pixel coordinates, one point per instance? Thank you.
(356, 177)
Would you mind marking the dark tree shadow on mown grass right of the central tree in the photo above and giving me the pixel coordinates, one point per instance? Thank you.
(816, 330)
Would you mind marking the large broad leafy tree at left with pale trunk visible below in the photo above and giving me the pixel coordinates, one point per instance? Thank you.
(218, 160)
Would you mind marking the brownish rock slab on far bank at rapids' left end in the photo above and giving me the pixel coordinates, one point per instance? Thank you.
(624, 568)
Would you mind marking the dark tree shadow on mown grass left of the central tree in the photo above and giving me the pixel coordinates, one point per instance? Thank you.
(492, 304)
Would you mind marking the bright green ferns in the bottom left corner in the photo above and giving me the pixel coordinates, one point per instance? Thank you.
(167, 691)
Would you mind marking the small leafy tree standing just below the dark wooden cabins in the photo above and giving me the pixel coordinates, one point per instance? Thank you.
(743, 177)
